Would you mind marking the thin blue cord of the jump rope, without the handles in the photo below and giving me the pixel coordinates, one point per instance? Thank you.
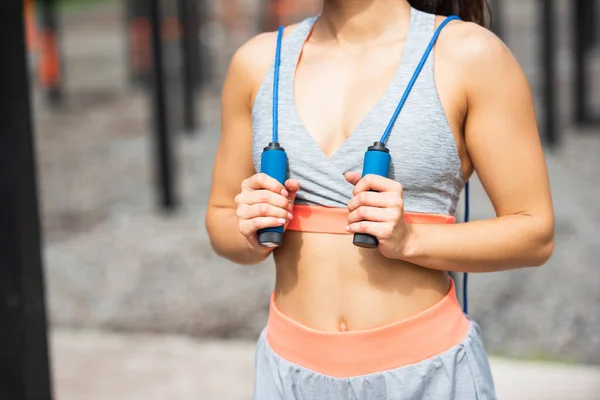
(392, 121)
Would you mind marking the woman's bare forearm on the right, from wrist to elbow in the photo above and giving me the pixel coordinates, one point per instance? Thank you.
(503, 243)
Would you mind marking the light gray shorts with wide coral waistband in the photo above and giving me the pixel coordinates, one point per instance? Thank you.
(444, 354)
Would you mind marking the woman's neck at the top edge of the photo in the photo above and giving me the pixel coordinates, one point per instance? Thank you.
(362, 21)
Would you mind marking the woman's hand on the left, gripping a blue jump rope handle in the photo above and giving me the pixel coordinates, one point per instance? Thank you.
(264, 203)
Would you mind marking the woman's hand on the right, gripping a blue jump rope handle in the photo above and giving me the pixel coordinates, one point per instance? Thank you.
(377, 208)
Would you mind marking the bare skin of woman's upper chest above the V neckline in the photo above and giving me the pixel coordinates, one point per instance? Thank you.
(333, 94)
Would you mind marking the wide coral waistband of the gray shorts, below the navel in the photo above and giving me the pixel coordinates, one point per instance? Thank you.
(354, 353)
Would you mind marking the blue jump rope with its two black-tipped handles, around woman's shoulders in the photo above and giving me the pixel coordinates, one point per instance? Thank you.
(376, 162)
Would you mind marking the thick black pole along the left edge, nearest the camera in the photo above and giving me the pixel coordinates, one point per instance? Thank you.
(24, 359)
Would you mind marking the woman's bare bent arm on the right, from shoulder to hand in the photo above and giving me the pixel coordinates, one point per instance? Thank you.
(503, 144)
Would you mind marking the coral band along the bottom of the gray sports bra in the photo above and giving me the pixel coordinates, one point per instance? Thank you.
(321, 219)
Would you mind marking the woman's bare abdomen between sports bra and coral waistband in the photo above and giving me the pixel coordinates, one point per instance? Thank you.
(326, 283)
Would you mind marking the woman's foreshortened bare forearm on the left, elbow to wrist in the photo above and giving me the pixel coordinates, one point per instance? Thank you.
(226, 239)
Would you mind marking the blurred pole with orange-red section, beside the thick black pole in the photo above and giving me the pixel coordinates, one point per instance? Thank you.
(50, 65)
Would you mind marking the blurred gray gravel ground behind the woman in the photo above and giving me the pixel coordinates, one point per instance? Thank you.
(113, 261)
